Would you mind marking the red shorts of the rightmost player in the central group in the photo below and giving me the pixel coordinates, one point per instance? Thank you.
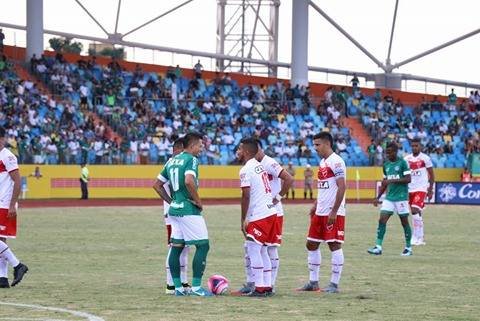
(319, 232)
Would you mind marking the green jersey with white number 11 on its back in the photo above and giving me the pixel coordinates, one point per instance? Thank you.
(174, 173)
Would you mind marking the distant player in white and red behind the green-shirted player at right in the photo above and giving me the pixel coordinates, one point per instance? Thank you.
(420, 187)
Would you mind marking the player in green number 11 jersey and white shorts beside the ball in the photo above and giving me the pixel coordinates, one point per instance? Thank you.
(185, 212)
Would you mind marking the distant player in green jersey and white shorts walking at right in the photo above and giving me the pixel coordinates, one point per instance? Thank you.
(396, 176)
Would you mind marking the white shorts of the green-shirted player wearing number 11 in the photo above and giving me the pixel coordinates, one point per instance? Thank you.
(188, 229)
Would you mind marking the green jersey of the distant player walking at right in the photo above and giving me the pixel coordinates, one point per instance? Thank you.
(395, 170)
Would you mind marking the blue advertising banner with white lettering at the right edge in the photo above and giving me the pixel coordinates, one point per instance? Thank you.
(457, 193)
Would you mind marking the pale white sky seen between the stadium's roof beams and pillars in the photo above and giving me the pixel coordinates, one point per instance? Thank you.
(420, 26)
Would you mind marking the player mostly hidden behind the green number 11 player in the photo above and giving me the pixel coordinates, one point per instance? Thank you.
(170, 289)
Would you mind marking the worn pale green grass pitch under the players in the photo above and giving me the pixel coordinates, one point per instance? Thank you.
(109, 261)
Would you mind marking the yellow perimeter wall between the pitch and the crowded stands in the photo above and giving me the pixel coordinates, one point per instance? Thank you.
(135, 181)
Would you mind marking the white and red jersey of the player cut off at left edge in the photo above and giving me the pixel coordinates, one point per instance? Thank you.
(8, 163)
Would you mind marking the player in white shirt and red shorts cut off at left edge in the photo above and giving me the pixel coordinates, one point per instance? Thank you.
(9, 193)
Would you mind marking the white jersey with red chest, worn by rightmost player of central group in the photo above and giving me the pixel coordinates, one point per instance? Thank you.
(329, 171)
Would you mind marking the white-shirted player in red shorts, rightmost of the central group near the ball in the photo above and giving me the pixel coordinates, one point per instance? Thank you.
(327, 223)
